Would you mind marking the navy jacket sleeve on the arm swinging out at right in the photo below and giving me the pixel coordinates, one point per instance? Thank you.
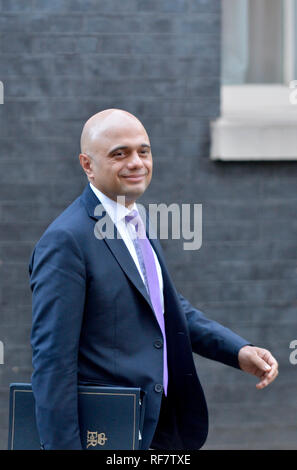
(210, 339)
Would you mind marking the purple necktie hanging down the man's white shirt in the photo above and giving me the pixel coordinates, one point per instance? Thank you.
(148, 267)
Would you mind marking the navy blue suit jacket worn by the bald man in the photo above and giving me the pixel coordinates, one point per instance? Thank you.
(93, 323)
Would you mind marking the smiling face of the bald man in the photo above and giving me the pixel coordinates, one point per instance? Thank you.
(121, 161)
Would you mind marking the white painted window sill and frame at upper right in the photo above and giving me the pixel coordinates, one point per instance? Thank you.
(259, 121)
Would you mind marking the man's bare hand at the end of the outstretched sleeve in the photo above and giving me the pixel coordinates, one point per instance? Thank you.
(259, 362)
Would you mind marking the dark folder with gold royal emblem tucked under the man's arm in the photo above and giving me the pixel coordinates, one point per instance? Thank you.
(110, 418)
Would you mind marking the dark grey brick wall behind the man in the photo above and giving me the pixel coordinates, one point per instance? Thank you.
(61, 61)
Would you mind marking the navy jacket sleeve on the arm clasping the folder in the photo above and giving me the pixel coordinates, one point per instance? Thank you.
(57, 280)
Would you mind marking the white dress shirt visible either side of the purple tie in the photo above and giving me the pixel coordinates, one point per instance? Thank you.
(117, 213)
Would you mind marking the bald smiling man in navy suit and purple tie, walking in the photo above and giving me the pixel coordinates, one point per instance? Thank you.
(105, 310)
